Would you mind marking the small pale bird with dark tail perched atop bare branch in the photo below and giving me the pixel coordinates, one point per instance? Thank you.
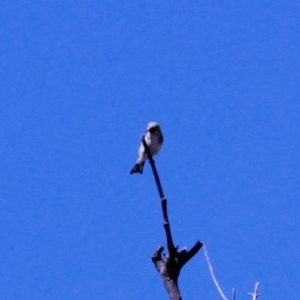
(154, 140)
